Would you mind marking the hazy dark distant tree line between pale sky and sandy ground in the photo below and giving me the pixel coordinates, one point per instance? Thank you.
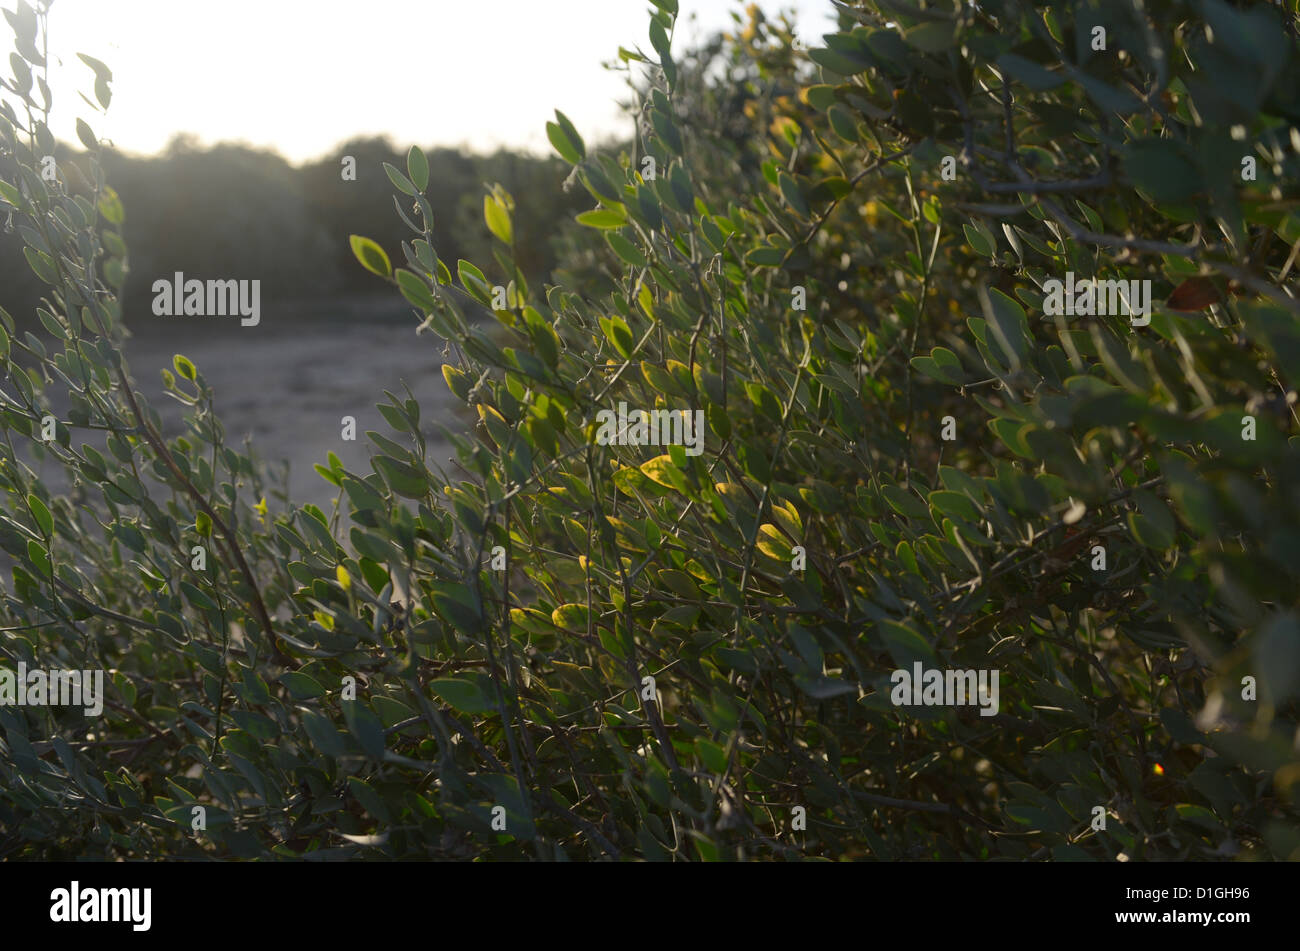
(235, 211)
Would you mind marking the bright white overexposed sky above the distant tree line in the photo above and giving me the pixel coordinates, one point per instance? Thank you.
(304, 76)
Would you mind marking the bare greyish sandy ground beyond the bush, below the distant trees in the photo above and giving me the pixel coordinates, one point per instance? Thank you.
(289, 381)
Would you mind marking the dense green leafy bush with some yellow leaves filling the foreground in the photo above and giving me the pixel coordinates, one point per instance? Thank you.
(456, 646)
